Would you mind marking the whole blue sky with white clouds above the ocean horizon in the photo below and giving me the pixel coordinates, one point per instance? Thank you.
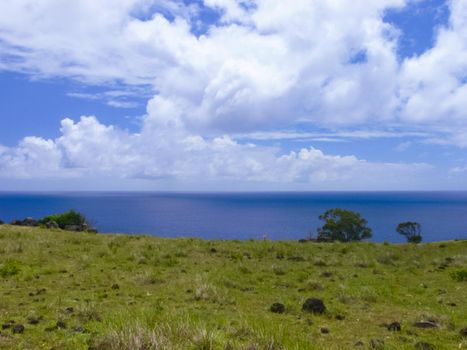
(233, 95)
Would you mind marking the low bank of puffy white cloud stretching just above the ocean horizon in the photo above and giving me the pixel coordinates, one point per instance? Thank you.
(89, 148)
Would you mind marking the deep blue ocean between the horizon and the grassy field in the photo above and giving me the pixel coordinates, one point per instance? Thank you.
(443, 215)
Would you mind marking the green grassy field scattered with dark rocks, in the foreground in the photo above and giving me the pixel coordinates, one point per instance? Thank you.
(137, 292)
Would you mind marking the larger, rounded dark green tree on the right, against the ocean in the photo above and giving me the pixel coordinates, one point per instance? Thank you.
(343, 225)
